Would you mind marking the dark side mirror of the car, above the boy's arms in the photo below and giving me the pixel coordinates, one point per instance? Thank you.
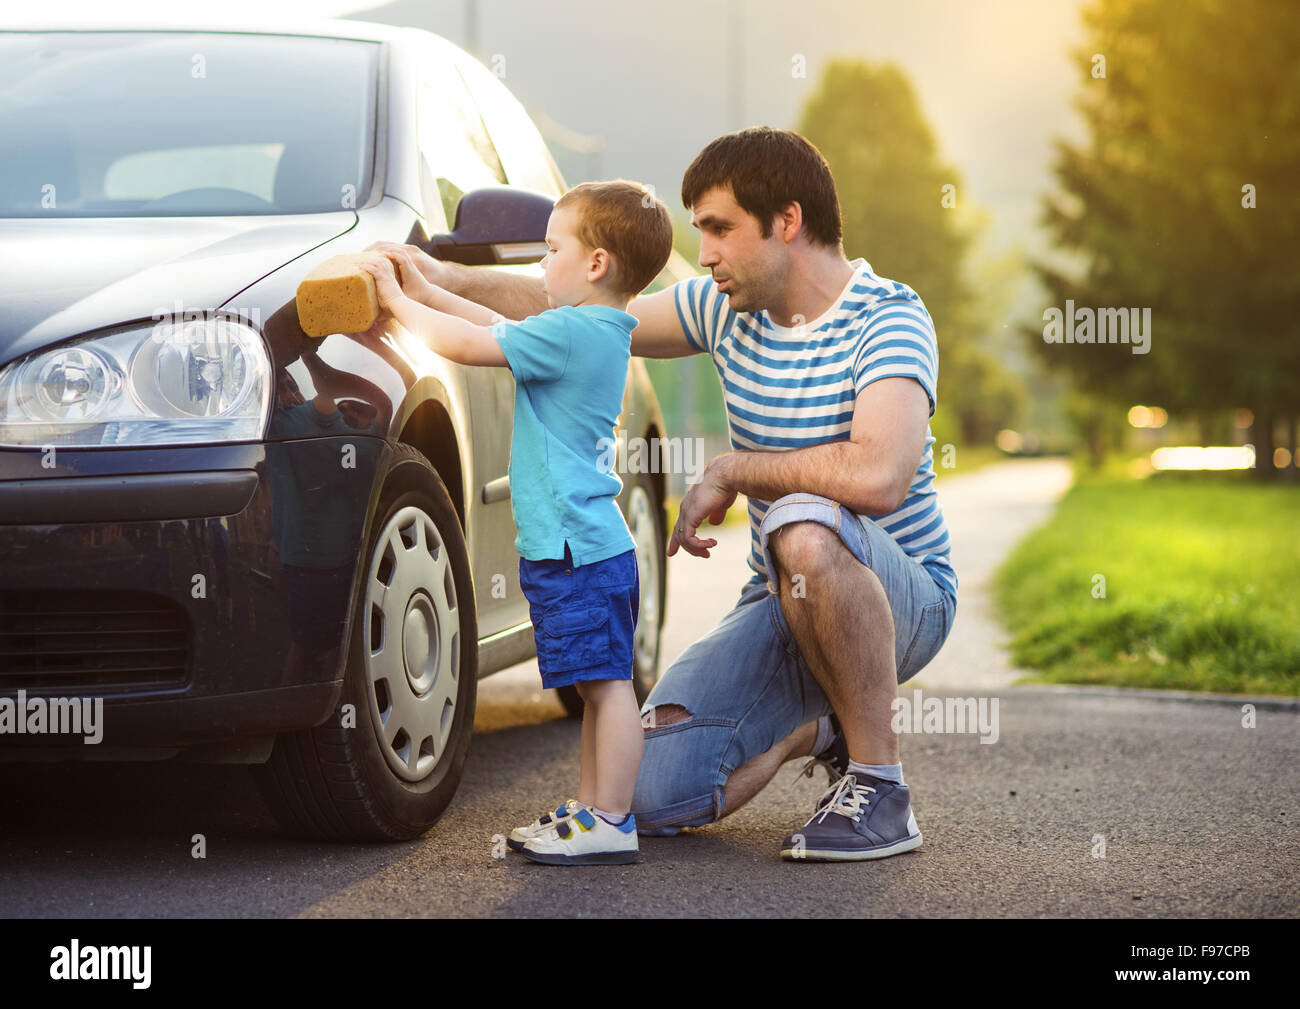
(496, 226)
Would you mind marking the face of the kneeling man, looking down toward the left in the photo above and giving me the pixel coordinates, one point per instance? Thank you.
(747, 267)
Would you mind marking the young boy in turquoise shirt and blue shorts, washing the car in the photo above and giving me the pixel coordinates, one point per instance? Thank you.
(606, 242)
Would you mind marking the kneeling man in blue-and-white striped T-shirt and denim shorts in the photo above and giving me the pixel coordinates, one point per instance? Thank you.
(829, 376)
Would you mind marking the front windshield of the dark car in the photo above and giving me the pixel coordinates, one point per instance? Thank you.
(184, 124)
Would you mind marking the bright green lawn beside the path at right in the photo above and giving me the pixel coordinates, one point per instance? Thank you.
(1202, 586)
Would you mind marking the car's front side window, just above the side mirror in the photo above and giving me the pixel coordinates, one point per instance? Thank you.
(457, 153)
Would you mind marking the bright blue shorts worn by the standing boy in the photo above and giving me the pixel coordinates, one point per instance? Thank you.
(584, 618)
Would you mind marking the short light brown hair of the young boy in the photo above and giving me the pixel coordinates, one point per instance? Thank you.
(630, 223)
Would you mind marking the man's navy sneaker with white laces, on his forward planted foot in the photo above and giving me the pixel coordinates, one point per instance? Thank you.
(861, 817)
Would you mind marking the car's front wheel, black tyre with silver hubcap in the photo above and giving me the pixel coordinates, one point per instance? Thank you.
(387, 767)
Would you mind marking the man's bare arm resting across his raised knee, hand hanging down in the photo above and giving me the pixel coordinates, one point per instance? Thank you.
(870, 474)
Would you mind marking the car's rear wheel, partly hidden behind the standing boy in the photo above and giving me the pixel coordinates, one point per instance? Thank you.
(647, 523)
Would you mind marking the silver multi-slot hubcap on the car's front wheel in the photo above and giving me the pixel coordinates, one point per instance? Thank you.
(413, 644)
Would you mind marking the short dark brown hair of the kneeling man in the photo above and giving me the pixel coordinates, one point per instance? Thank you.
(768, 168)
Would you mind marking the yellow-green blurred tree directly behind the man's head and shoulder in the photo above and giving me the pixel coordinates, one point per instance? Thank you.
(904, 213)
